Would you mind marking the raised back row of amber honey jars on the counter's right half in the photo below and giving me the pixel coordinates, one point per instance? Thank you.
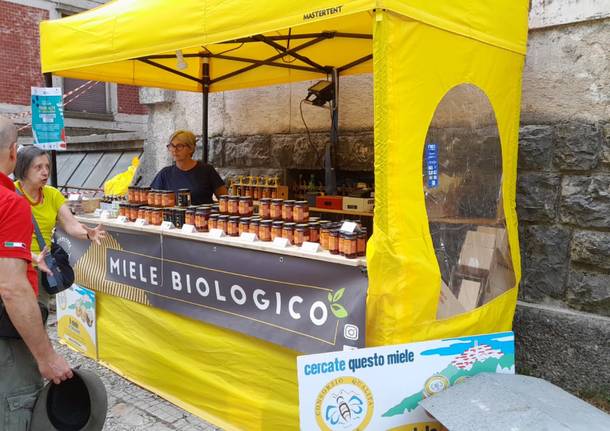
(274, 209)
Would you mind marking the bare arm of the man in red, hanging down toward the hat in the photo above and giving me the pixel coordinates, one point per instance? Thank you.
(22, 308)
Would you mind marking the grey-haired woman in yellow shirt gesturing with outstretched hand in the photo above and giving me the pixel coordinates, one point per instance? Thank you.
(48, 204)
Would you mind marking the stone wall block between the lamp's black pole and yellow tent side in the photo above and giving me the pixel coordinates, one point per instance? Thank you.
(355, 152)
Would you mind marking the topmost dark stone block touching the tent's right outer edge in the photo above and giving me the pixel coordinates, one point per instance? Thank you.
(535, 147)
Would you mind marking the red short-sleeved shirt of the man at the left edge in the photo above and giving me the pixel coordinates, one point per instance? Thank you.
(16, 227)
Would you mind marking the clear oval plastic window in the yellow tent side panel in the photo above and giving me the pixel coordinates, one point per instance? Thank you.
(462, 179)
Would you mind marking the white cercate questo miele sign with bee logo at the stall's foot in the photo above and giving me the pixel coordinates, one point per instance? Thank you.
(380, 388)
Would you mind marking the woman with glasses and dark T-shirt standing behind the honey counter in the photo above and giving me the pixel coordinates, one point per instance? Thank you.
(200, 178)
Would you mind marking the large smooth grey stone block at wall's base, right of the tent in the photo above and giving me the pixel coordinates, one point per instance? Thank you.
(567, 348)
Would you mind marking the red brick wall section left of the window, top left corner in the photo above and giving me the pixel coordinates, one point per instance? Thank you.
(19, 52)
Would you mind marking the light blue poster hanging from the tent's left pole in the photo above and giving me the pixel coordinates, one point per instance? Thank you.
(48, 118)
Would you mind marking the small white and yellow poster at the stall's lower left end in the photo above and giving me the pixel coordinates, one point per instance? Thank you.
(76, 319)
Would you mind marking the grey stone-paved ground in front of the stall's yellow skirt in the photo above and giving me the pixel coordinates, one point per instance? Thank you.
(130, 407)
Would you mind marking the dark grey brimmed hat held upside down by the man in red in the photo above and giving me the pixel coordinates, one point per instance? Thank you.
(77, 404)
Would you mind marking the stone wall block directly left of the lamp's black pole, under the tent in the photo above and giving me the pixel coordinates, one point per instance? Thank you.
(296, 152)
